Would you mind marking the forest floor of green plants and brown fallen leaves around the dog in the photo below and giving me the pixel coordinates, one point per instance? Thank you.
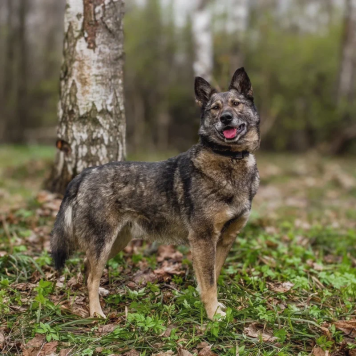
(289, 283)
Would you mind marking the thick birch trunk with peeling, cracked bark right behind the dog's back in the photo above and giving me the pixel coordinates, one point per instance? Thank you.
(91, 129)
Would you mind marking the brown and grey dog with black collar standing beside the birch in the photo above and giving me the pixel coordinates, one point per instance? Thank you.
(201, 197)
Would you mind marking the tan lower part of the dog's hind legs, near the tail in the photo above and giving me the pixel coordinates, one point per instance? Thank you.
(95, 266)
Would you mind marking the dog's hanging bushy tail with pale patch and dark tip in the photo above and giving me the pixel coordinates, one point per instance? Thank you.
(62, 239)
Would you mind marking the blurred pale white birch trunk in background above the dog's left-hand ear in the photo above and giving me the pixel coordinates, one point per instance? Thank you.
(203, 64)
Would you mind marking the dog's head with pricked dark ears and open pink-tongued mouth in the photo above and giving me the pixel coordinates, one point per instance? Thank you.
(229, 119)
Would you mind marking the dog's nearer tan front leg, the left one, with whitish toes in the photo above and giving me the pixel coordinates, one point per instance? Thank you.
(204, 257)
